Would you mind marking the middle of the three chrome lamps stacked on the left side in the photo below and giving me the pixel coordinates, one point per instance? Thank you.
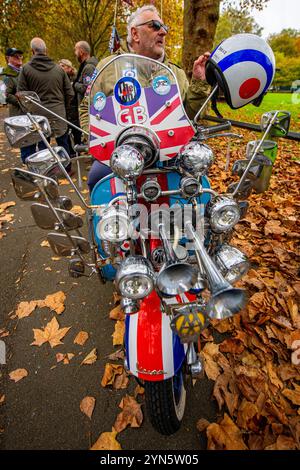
(113, 225)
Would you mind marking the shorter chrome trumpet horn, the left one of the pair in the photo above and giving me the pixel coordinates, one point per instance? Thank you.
(175, 277)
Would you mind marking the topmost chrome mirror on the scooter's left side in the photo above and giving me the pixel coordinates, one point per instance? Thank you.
(20, 131)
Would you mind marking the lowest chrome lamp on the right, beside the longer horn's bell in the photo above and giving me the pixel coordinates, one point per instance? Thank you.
(232, 263)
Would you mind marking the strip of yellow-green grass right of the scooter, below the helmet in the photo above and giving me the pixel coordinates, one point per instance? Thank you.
(272, 101)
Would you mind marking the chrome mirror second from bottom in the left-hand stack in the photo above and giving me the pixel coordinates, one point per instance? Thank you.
(45, 218)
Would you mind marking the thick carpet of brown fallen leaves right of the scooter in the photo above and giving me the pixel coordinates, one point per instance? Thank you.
(254, 370)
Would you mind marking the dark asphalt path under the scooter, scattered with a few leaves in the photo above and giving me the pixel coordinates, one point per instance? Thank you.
(42, 411)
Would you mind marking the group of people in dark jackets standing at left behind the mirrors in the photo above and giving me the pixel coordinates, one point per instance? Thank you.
(59, 86)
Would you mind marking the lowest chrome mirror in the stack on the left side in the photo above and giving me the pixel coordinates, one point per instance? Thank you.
(64, 245)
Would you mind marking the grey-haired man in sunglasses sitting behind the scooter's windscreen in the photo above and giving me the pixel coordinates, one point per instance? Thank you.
(146, 36)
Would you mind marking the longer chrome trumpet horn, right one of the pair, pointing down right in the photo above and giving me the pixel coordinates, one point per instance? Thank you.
(225, 300)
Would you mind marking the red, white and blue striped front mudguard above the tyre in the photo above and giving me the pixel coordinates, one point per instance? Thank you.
(154, 352)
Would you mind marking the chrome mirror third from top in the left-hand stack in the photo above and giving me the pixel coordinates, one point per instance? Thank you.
(30, 186)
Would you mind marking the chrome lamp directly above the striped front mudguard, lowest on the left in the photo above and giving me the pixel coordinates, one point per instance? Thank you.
(135, 278)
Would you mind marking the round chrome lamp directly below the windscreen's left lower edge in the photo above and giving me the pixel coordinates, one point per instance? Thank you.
(127, 162)
